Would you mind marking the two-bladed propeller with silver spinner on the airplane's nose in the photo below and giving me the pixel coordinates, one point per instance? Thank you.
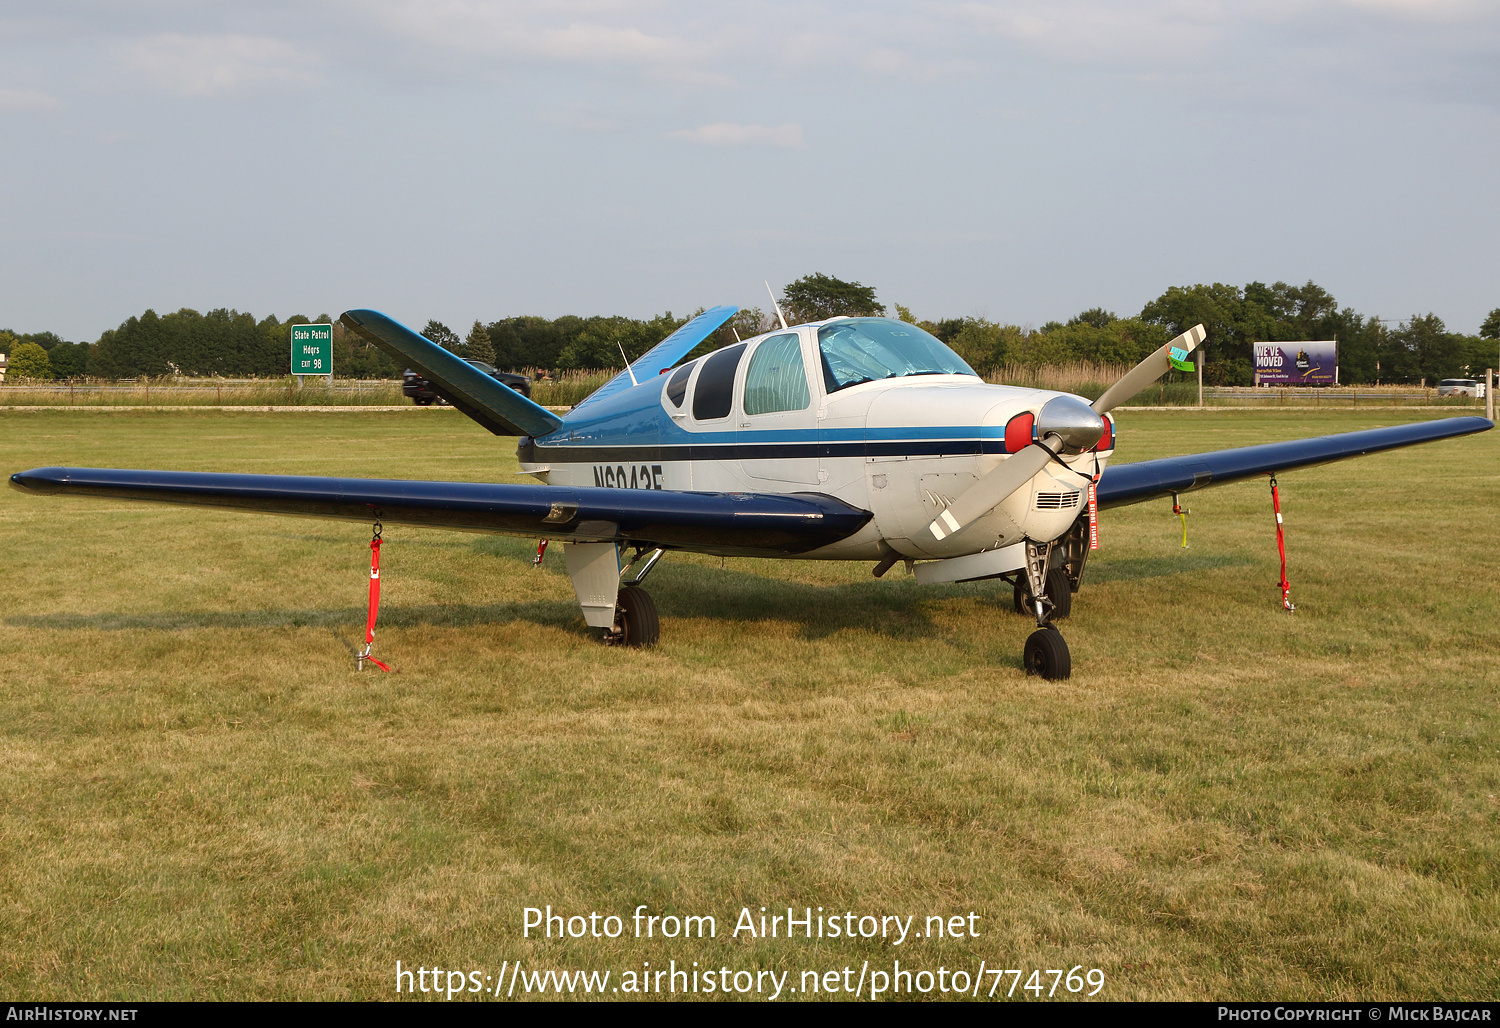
(1064, 425)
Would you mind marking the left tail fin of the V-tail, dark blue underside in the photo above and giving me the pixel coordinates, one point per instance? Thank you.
(497, 407)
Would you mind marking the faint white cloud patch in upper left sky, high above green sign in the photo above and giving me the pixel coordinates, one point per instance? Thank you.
(218, 65)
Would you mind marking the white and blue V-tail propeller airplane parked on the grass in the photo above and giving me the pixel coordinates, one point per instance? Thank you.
(851, 439)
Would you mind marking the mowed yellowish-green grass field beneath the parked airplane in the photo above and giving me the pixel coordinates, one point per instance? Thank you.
(202, 799)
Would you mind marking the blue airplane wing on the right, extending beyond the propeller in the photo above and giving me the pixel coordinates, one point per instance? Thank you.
(1126, 484)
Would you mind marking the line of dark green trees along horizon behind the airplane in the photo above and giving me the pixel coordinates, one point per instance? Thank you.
(235, 346)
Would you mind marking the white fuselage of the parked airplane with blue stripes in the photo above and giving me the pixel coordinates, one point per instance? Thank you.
(902, 448)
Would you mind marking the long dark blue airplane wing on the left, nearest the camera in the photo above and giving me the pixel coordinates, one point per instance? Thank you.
(709, 522)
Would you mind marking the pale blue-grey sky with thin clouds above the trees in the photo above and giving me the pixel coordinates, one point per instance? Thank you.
(1015, 160)
